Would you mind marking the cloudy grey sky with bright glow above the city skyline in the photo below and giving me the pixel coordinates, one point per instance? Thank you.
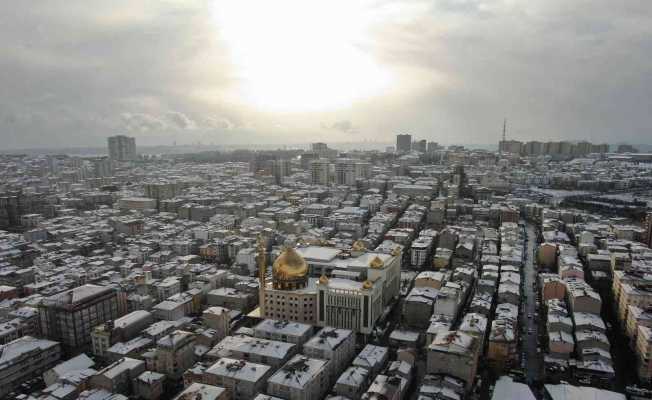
(239, 72)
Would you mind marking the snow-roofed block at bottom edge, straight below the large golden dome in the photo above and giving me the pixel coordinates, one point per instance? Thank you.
(301, 378)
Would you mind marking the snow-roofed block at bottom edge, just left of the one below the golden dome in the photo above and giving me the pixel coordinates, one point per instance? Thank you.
(241, 379)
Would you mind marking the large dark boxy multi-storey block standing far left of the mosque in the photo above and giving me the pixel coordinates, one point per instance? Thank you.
(70, 316)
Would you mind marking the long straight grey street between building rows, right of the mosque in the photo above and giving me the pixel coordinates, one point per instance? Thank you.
(532, 361)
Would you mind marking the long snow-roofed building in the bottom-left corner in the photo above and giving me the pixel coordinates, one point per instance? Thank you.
(25, 358)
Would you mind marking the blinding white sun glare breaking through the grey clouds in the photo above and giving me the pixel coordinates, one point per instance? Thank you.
(299, 56)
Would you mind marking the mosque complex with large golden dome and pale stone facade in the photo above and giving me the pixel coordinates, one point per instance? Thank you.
(324, 287)
